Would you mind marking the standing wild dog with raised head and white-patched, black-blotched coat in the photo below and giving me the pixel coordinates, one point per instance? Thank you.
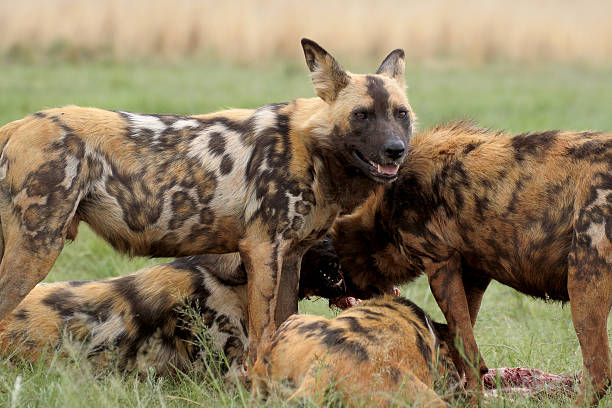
(267, 182)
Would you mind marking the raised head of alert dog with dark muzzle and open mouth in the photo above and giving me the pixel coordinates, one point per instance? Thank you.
(370, 116)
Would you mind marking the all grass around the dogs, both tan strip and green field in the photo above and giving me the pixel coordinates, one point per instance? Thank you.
(520, 66)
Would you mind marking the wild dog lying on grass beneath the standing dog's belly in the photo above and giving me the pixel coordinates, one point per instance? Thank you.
(142, 320)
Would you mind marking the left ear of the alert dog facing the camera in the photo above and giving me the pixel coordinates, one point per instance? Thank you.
(328, 77)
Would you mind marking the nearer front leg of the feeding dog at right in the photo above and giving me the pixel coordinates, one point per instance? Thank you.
(447, 287)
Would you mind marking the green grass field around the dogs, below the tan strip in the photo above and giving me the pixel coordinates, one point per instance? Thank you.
(512, 329)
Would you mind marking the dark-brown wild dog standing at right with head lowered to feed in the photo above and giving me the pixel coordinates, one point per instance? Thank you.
(532, 211)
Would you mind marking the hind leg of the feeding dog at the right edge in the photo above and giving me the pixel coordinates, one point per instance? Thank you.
(590, 293)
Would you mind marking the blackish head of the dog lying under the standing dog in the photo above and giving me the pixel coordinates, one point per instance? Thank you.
(320, 273)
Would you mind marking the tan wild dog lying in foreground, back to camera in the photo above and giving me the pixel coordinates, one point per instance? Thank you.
(384, 350)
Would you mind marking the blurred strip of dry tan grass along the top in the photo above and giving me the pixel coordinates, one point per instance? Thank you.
(527, 30)
